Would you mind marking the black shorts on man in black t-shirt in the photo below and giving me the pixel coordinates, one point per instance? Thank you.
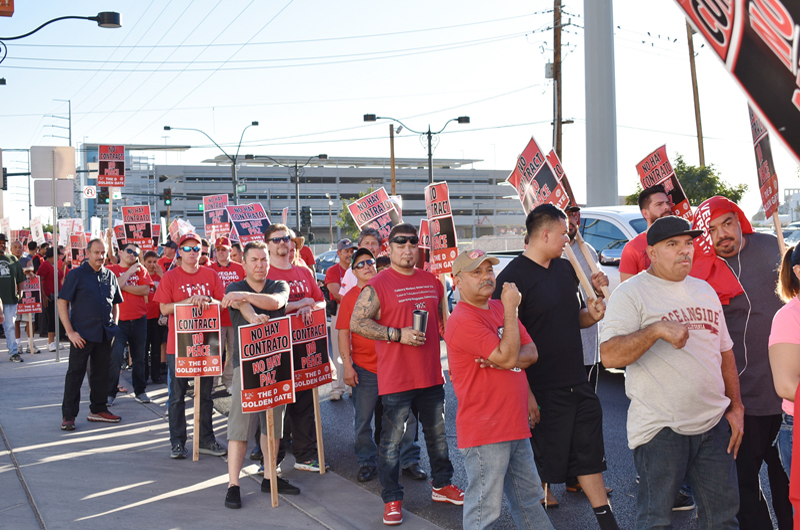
(568, 441)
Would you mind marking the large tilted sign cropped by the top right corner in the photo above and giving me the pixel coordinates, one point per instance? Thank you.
(757, 41)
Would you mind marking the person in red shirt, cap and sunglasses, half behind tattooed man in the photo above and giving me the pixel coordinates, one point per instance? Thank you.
(361, 373)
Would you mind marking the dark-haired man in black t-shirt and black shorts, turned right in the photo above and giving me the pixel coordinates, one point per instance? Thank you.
(568, 440)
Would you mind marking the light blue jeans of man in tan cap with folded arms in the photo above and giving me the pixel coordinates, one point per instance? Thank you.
(505, 467)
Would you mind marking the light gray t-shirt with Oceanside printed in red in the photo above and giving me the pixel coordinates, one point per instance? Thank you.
(678, 389)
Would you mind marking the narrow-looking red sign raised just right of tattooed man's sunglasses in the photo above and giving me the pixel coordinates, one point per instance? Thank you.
(443, 244)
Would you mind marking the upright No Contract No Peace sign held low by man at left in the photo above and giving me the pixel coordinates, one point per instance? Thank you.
(197, 352)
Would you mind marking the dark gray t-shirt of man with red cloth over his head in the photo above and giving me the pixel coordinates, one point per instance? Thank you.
(756, 266)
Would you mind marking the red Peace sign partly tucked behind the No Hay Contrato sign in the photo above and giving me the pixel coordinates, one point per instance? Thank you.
(310, 351)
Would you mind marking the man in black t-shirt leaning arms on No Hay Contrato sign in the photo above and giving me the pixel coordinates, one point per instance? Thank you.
(251, 301)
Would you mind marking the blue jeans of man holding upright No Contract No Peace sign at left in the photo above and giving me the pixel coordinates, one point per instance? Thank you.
(177, 408)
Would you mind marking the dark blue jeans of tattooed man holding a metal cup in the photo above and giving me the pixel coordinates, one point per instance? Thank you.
(396, 410)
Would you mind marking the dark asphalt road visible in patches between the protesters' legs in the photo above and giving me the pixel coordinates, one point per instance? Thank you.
(574, 510)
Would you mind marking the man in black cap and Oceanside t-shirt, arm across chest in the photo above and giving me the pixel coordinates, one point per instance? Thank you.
(686, 416)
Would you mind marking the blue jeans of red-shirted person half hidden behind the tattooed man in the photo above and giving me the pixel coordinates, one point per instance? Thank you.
(365, 397)
